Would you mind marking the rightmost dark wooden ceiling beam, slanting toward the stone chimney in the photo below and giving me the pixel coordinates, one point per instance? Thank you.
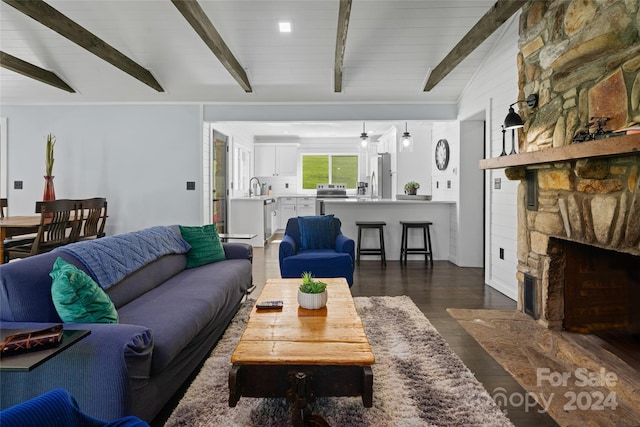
(487, 25)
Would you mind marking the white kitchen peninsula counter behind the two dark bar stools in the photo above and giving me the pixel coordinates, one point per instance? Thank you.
(392, 212)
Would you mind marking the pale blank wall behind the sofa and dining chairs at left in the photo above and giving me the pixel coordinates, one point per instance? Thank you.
(137, 156)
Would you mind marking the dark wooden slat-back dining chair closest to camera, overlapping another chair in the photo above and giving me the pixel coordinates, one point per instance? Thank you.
(59, 222)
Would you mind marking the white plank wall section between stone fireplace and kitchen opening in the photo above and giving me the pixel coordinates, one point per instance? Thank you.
(494, 87)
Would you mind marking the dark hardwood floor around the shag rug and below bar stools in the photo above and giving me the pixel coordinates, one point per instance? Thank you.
(433, 290)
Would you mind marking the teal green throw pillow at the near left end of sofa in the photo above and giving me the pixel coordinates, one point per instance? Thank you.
(77, 298)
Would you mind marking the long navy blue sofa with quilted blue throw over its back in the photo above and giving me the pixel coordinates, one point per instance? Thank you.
(169, 320)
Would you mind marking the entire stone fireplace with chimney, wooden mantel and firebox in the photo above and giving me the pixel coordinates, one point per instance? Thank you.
(579, 240)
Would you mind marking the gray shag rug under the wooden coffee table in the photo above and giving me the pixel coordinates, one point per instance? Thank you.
(417, 380)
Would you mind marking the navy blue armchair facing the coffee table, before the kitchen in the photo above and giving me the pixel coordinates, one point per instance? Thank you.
(334, 261)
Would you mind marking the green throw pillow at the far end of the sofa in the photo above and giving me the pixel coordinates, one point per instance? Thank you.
(205, 245)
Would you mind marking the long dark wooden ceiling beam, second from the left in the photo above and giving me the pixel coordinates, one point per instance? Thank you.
(53, 19)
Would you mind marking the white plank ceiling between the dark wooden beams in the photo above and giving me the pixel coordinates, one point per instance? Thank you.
(391, 46)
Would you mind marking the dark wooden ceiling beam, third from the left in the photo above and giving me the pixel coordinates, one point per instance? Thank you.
(198, 19)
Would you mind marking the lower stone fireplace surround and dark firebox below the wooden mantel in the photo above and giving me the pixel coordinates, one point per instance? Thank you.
(582, 243)
